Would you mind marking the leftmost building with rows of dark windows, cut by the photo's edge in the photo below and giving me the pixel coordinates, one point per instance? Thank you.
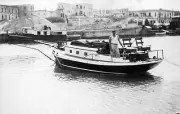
(8, 12)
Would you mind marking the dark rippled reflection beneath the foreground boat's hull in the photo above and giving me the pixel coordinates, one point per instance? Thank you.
(108, 79)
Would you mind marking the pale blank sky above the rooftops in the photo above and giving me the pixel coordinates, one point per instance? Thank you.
(99, 4)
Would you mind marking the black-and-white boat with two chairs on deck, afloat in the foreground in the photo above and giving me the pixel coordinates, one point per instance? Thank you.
(94, 56)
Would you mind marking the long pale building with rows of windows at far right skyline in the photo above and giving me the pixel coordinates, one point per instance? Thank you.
(161, 16)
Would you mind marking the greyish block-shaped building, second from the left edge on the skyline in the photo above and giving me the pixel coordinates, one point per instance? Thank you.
(25, 10)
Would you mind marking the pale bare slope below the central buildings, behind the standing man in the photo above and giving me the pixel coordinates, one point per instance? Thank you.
(99, 23)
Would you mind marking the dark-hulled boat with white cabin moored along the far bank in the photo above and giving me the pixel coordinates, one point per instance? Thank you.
(46, 34)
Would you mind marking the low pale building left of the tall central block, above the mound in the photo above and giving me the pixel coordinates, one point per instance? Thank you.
(46, 13)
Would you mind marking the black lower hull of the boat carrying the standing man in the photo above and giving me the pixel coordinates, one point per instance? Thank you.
(106, 69)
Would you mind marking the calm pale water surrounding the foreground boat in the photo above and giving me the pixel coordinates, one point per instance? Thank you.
(32, 84)
